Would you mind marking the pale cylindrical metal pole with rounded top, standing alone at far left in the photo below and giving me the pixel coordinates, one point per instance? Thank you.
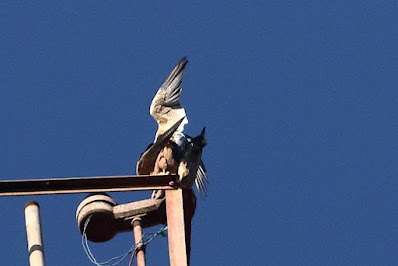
(33, 232)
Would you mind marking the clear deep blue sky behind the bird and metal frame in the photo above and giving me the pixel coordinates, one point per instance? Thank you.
(299, 99)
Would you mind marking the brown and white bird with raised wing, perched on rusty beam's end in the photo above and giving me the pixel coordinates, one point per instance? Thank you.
(174, 152)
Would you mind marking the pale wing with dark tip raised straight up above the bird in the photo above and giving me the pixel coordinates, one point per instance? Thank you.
(165, 107)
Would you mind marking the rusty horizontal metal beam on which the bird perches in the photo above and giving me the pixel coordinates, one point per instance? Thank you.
(85, 184)
